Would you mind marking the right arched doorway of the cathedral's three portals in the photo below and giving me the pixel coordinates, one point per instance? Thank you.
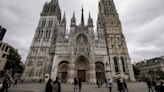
(100, 71)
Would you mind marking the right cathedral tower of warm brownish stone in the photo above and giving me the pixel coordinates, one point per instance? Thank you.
(119, 60)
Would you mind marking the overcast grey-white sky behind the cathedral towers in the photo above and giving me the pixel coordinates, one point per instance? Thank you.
(142, 23)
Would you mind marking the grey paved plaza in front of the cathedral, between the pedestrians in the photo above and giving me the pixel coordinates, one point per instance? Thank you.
(37, 87)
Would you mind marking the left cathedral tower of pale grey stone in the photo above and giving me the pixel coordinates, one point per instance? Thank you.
(39, 59)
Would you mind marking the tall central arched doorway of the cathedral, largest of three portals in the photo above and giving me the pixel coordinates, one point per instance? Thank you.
(82, 67)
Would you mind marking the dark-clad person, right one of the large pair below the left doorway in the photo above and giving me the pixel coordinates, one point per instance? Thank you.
(56, 86)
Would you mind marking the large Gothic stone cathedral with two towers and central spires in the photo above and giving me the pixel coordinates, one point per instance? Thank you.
(80, 51)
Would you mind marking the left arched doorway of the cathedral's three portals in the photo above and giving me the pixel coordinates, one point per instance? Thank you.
(63, 71)
